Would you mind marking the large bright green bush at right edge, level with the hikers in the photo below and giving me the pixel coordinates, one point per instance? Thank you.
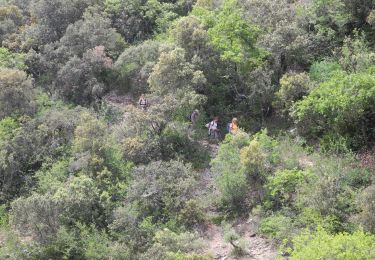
(343, 106)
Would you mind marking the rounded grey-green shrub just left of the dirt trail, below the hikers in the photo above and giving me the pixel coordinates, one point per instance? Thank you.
(162, 189)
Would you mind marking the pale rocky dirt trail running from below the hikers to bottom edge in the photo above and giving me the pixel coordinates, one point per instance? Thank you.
(257, 247)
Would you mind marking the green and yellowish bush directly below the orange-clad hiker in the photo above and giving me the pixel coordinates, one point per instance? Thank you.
(241, 168)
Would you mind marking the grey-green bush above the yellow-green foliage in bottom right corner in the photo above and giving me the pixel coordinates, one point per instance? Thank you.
(331, 190)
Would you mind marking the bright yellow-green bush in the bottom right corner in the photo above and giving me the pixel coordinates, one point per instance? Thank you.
(322, 245)
